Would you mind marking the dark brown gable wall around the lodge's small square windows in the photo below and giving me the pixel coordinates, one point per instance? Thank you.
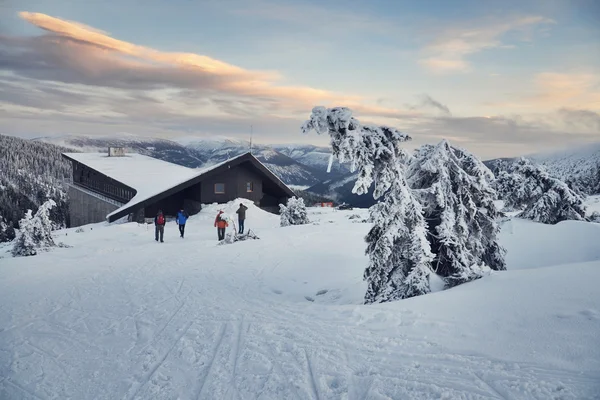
(235, 180)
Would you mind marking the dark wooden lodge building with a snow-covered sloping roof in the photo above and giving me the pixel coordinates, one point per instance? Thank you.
(107, 187)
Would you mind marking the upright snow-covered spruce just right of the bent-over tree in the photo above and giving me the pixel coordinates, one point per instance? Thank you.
(455, 189)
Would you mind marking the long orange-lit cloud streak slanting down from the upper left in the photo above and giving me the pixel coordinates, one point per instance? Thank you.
(73, 53)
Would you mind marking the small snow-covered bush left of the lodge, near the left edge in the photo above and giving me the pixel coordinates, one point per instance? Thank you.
(35, 231)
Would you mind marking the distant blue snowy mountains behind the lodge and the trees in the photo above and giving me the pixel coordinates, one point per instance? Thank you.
(304, 166)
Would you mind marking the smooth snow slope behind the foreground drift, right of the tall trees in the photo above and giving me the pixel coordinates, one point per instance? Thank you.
(533, 245)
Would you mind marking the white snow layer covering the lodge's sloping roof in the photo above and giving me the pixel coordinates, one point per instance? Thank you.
(148, 176)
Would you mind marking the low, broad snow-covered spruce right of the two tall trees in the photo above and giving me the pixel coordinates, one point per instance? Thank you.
(542, 197)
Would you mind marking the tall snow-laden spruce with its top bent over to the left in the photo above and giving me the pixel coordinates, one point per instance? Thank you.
(399, 255)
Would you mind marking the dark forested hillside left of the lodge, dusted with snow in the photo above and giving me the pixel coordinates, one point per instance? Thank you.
(30, 173)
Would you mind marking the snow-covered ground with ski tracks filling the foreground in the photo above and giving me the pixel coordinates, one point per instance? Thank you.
(120, 316)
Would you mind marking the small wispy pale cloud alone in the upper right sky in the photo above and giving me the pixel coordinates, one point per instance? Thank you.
(448, 53)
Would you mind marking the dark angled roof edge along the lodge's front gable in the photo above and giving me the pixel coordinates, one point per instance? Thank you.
(247, 157)
